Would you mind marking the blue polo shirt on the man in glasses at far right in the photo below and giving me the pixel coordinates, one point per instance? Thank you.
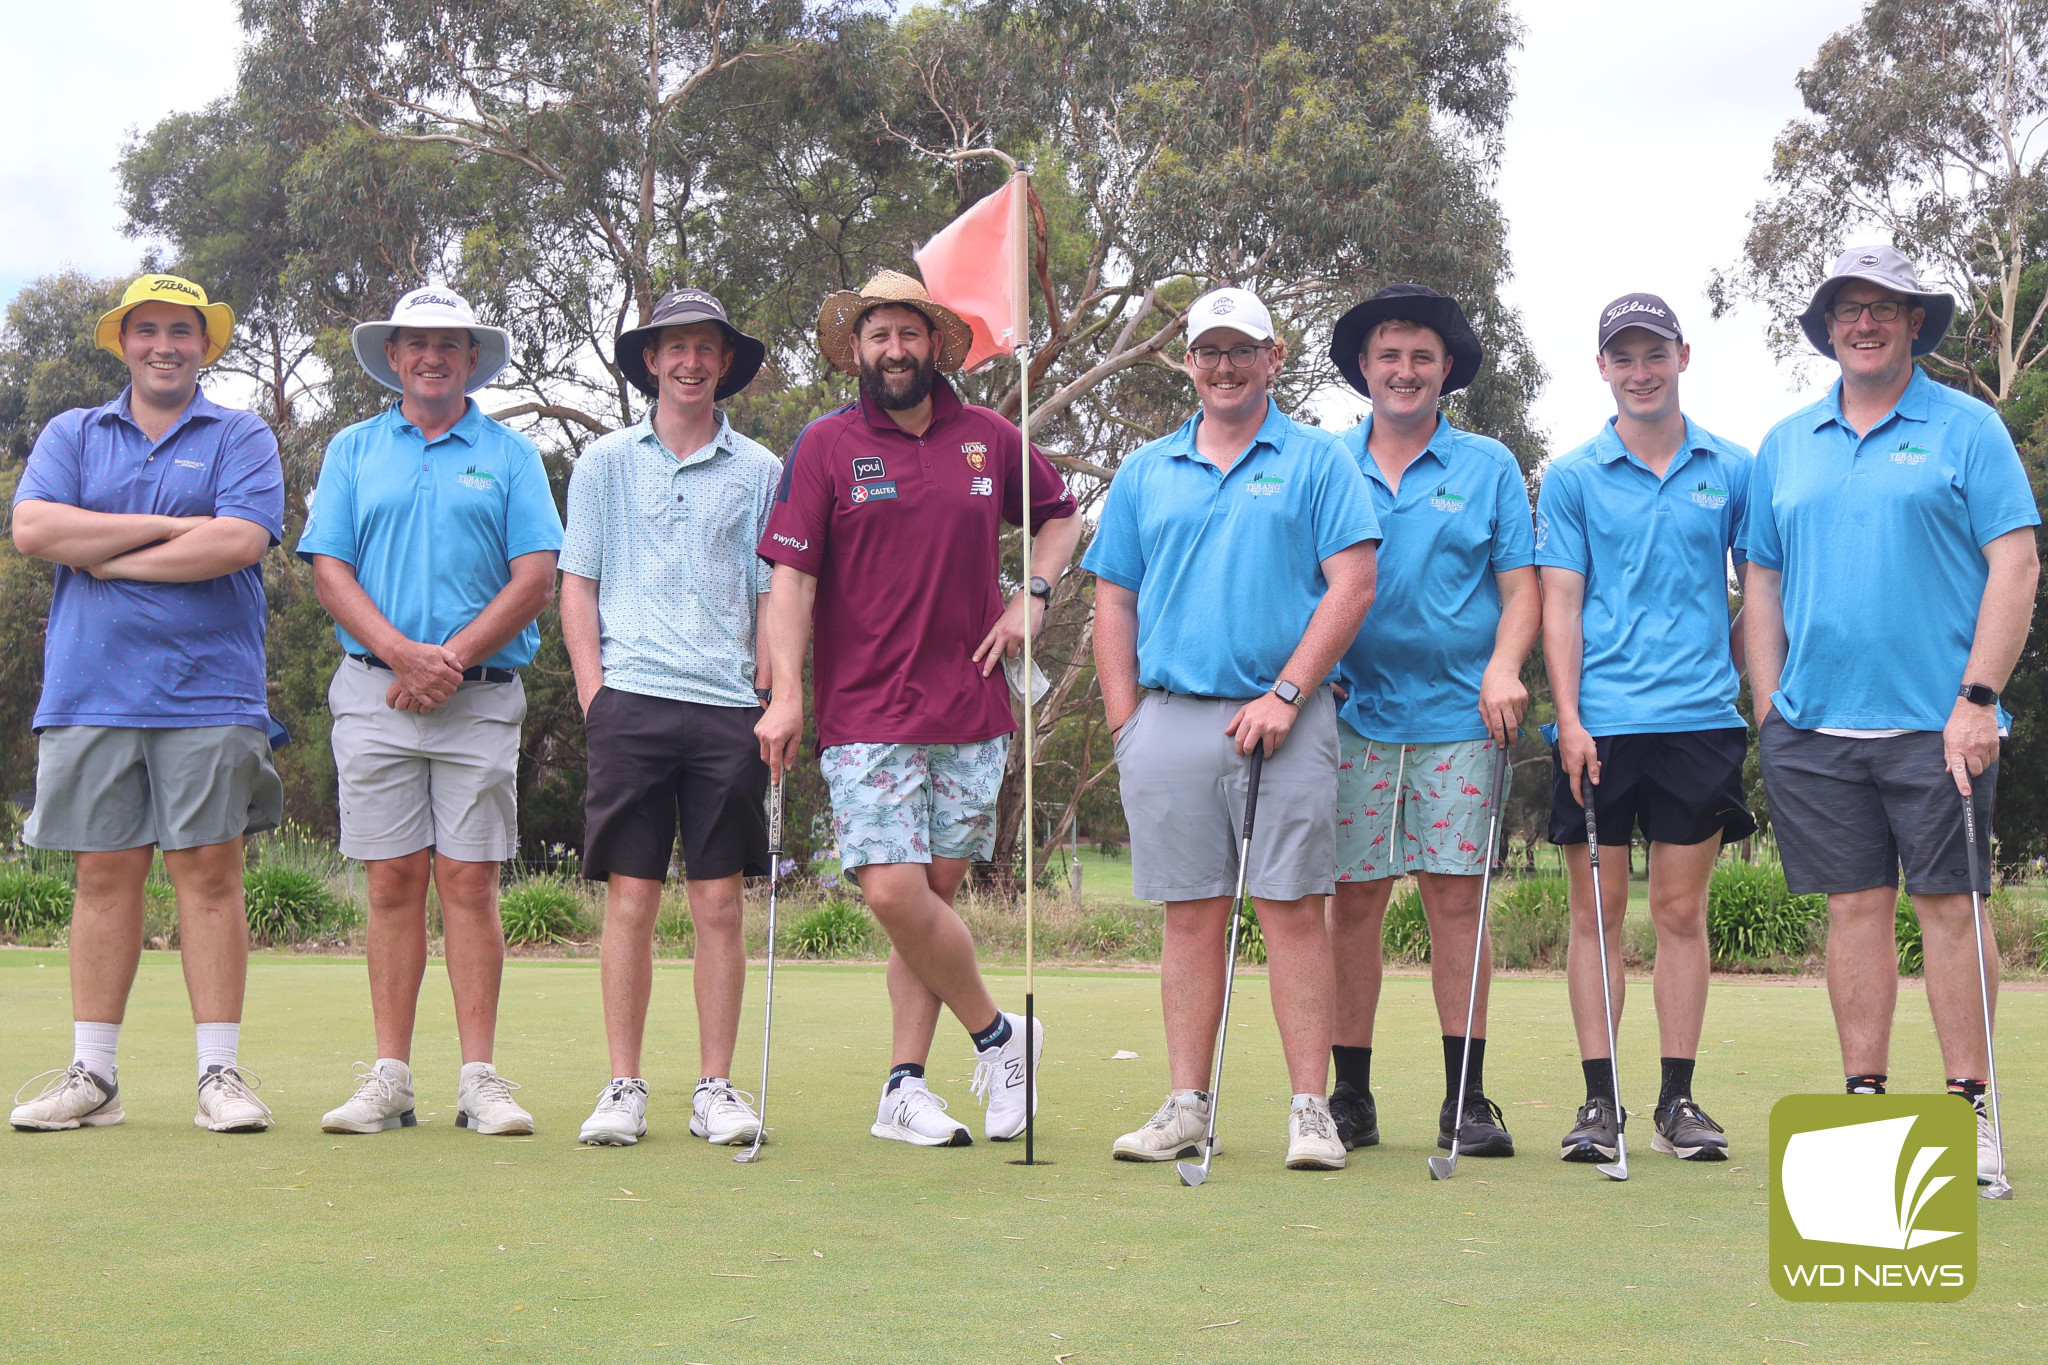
(1881, 547)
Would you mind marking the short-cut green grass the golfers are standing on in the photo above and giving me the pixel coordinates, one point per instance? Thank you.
(157, 1241)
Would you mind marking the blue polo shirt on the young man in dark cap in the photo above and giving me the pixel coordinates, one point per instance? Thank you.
(1656, 562)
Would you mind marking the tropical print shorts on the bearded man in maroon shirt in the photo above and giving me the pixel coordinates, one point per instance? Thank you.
(912, 803)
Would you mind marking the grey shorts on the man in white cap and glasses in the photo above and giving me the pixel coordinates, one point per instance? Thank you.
(1185, 801)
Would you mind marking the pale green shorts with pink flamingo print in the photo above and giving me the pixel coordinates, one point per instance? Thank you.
(1412, 807)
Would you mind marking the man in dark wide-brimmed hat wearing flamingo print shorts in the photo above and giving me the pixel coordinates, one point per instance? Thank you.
(1435, 689)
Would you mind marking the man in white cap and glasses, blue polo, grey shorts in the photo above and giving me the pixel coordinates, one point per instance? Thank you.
(1234, 566)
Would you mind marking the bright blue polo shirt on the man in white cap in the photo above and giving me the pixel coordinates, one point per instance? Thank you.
(1228, 566)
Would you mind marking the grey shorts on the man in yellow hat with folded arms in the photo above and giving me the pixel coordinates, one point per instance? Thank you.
(101, 789)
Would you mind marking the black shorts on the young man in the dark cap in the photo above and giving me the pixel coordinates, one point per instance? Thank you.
(1676, 789)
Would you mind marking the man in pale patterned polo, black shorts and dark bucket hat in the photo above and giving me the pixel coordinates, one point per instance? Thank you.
(660, 601)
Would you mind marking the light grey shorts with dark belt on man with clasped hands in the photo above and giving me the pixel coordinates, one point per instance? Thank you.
(443, 781)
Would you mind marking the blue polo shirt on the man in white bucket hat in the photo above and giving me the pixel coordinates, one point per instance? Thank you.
(431, 527)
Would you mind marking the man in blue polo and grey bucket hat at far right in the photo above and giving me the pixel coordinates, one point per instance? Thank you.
(1891, 586)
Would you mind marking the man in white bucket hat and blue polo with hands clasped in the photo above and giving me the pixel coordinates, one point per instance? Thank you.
(433, 541)
